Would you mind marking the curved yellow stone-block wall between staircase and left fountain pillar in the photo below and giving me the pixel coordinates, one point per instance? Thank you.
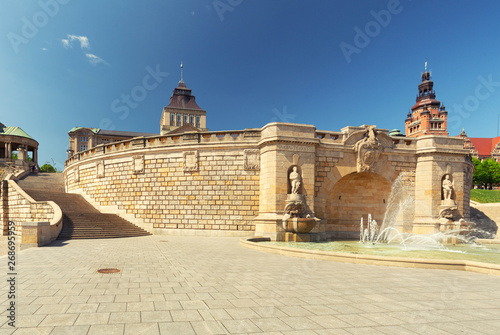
(186, 182)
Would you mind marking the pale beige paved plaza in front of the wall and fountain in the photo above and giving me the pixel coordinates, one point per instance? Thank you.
(194, 285)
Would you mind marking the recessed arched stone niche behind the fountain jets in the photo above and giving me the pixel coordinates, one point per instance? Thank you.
(354, 196)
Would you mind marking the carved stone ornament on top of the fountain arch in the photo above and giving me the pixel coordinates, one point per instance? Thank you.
(368, 150)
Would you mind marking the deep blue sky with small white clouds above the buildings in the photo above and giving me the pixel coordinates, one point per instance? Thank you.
(66, 63)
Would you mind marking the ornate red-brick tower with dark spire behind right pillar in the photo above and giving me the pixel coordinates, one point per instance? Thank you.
(428, 116)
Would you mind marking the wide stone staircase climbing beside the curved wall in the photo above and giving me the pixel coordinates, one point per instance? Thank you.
(80, 219)
